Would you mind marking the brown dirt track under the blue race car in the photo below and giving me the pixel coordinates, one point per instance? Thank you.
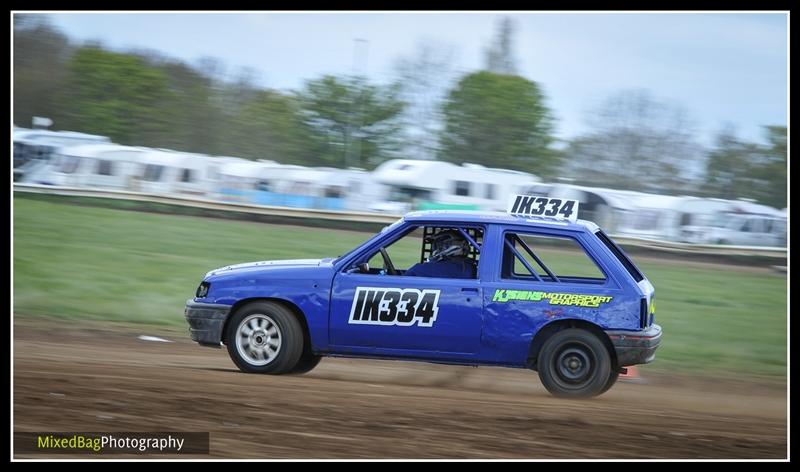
(94, 377)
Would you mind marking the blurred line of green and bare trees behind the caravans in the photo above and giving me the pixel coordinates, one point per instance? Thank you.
(493, 117)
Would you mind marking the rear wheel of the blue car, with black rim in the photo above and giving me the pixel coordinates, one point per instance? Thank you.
(574, 363)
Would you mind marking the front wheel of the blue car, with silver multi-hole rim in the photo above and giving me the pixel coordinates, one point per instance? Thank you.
(264, 338)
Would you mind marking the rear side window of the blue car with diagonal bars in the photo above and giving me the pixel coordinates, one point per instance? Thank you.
(549, 258)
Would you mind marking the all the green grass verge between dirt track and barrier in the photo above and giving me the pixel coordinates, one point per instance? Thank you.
(74, 262)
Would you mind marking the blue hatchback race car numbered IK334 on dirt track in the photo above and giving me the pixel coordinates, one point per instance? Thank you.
(531, 288)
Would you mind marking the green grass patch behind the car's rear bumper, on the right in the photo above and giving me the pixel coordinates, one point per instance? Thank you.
(720, 319)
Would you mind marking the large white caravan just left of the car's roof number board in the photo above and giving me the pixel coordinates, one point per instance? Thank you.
(421, 184)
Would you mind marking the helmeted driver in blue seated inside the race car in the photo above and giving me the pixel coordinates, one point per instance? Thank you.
(449, 259)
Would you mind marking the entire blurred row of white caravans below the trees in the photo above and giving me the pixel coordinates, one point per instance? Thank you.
(396, 186)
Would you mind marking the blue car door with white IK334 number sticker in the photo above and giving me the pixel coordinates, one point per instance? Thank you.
(404, 315)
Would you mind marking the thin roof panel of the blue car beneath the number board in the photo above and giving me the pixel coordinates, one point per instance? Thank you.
(495, 217)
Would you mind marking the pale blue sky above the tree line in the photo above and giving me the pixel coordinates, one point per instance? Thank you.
(727, 70)
